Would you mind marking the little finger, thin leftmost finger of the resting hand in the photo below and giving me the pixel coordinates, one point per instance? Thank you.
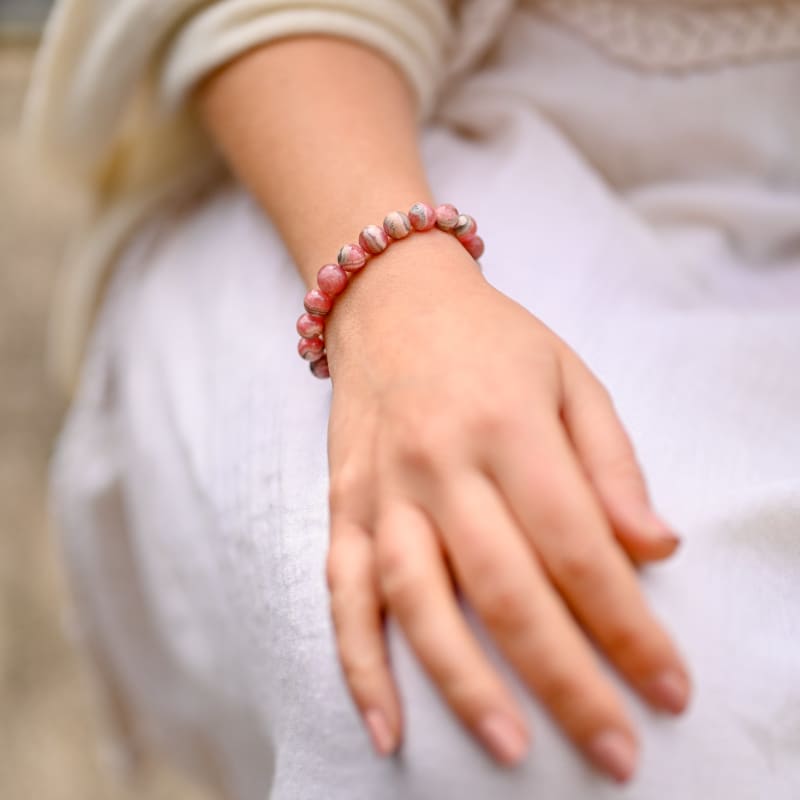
(361, 644)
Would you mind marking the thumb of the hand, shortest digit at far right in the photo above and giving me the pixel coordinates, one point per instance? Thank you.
(608, 459)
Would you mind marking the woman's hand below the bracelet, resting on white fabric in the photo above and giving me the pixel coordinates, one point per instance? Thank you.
(467, 442)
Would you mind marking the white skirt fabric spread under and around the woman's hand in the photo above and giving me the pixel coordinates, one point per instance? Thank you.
(661, 240)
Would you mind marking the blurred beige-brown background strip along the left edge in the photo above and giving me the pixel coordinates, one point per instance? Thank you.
(50, 740)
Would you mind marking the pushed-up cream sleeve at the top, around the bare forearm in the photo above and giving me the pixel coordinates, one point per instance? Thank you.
(100, 58)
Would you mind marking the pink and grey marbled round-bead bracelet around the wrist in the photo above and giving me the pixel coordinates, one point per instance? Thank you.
(332, 279)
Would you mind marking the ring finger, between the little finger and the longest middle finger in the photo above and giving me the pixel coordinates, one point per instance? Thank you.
(418, 591)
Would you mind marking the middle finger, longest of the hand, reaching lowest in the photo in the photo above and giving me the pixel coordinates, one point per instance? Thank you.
(499, 575)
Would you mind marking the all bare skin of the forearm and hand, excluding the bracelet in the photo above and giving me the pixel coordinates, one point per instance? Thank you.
(499, 470)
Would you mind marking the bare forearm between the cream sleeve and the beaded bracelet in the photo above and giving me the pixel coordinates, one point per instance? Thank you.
(324, 134)
